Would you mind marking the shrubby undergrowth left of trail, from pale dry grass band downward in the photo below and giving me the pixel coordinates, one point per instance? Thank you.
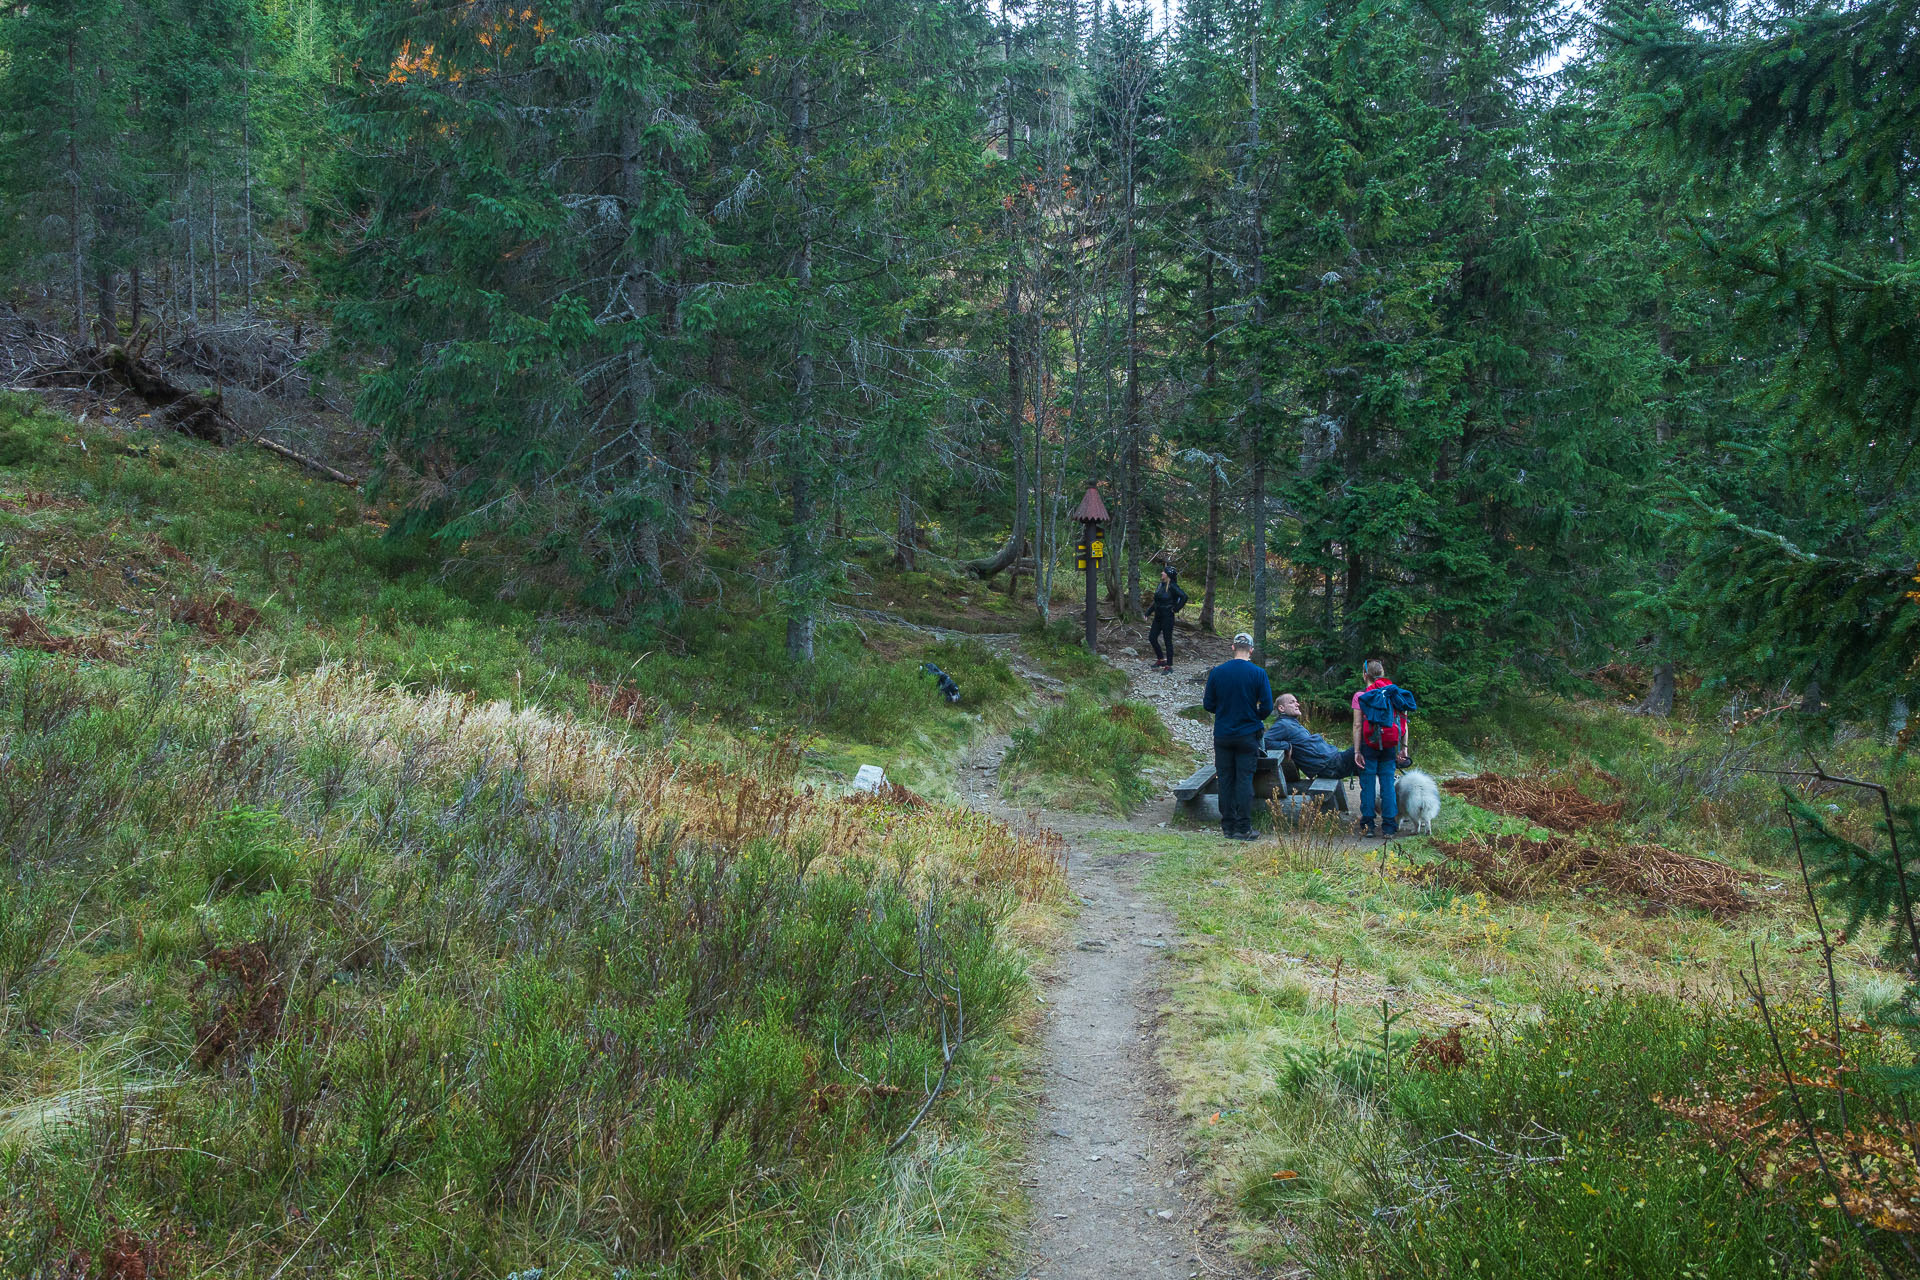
(314, 968)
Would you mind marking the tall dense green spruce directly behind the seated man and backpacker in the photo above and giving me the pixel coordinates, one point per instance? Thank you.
(1454, 415)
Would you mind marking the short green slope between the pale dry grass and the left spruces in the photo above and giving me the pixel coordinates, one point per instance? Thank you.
(128, 542)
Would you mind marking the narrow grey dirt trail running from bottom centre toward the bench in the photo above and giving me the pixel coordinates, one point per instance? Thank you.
(1115, 1197)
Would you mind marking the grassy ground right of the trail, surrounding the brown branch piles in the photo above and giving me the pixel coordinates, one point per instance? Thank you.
(1577, 1010)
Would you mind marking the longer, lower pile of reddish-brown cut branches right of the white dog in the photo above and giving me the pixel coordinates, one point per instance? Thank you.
(1514, 866)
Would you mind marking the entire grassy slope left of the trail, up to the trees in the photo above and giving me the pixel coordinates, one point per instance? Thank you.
(379, 941)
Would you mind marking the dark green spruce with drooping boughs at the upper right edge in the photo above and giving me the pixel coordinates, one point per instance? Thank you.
(1798, 525)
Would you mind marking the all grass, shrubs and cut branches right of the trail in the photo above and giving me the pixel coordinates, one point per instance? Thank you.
(1535, 1045)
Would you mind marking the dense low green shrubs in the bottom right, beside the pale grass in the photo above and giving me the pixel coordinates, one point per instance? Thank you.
(1560, 1160)
